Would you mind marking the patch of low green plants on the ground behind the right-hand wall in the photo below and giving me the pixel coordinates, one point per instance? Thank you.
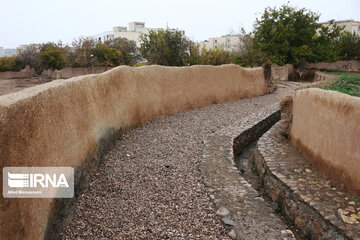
(348, 83)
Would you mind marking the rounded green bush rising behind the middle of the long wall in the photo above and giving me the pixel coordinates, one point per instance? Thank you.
(164, 47)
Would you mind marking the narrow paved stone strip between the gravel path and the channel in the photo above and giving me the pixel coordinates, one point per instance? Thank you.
(244, 213)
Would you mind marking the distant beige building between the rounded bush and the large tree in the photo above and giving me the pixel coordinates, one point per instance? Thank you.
(229, 42)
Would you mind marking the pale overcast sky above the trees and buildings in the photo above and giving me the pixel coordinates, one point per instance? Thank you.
(36, 21)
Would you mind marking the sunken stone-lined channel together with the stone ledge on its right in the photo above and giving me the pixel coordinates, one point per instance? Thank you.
(312, 206)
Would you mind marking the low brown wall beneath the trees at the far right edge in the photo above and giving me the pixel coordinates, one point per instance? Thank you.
(339, 66)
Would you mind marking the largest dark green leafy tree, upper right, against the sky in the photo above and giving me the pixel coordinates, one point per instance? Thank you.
(289, 35)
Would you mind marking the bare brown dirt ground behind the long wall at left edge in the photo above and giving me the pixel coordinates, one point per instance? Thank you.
(13, 85)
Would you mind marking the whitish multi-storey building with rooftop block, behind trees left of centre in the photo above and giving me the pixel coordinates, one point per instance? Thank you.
(133, 33)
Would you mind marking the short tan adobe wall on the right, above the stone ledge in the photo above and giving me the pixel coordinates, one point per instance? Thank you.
(326, 130)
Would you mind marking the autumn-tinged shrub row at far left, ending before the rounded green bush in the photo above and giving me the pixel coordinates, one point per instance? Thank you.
(84, 52)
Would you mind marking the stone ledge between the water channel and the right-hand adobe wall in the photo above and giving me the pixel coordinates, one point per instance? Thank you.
(321, 209)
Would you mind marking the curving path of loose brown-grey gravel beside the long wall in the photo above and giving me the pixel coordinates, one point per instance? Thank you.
(149, 185)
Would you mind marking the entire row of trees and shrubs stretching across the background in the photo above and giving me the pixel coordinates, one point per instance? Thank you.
(280, 36)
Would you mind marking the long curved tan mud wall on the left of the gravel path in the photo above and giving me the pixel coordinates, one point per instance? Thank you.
(74, 122)
